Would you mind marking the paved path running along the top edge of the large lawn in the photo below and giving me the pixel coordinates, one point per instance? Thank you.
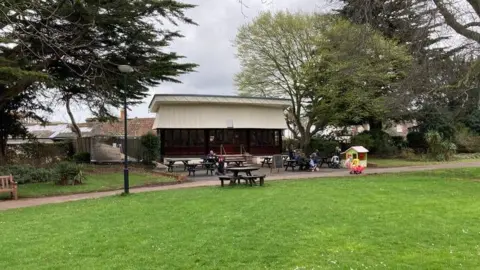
(214, 182)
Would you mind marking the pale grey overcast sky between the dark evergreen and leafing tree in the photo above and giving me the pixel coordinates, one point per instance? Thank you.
(210, 45)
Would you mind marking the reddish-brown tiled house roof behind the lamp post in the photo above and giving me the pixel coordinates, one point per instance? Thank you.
(135, 127)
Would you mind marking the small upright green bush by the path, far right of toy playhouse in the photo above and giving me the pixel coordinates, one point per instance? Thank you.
(439, 149)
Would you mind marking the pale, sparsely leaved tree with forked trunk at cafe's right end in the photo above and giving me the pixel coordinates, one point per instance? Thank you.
(272, 50)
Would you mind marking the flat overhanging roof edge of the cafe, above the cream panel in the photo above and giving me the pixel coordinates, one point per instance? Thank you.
(159, 99)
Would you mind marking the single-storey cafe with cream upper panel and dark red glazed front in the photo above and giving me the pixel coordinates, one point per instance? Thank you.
(192, 125)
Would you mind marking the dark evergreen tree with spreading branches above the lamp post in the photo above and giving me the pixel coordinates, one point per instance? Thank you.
(89, 39)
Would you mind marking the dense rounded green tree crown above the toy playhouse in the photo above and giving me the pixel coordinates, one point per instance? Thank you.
(355, 72)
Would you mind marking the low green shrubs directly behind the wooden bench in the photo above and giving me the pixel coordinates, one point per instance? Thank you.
(25, 174)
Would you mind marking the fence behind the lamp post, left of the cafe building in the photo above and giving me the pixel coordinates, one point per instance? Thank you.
(110, 149)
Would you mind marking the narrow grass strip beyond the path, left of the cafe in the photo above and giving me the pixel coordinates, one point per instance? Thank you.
(93, 182)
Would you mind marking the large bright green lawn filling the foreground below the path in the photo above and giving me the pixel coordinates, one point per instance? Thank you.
(427, 220)
